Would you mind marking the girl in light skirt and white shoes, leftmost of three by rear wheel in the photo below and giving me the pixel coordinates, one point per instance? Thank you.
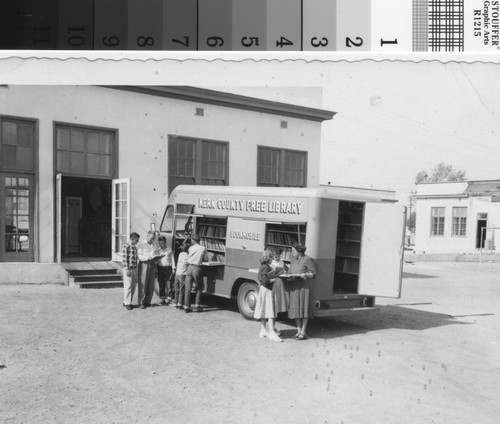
(265, 308)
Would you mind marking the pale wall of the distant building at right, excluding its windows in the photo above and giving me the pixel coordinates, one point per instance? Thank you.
(425, 242)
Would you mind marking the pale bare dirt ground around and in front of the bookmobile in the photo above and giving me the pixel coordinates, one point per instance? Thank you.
(71, 355)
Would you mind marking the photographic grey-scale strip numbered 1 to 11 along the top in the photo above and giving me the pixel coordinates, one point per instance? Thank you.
(251, 25)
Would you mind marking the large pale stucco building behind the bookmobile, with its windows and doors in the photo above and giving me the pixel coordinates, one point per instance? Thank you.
(82, 166)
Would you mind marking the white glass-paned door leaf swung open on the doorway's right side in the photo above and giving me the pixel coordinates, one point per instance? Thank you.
(120, 212)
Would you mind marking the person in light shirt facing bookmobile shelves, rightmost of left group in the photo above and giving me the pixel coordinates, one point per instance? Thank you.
(194, 273)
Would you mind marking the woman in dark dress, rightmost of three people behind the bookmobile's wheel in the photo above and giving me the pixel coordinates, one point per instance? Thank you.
(302, 270)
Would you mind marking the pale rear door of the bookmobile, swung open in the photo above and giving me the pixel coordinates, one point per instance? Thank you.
(382, 246)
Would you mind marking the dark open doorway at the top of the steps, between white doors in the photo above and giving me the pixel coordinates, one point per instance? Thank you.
(86, 219)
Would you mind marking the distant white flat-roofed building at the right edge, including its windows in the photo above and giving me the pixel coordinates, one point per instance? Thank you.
(457, 217)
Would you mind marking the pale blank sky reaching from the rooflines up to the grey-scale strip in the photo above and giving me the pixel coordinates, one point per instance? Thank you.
(394, 117)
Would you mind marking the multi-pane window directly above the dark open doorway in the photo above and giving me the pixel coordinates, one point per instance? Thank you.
(85, 151)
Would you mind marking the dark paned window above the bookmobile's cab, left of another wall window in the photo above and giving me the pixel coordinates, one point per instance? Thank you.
(193, 161)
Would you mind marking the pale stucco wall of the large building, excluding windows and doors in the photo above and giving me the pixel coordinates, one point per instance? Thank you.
(144, 123)
